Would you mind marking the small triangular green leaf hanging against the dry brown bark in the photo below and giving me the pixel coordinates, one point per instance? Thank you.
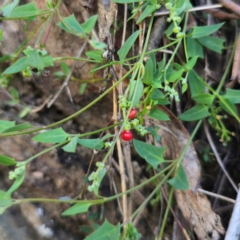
(180, 180)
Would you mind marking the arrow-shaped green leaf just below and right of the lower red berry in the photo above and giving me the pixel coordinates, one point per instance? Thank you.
(153, 155)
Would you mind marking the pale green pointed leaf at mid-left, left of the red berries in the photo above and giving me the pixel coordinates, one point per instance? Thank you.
(57, 135)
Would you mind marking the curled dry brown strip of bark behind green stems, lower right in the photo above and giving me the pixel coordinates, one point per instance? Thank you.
(194, 206)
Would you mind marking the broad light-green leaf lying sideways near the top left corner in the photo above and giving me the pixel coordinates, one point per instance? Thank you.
(25, 11)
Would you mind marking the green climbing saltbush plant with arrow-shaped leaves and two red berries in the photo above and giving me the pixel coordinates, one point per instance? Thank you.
(151, 83)
